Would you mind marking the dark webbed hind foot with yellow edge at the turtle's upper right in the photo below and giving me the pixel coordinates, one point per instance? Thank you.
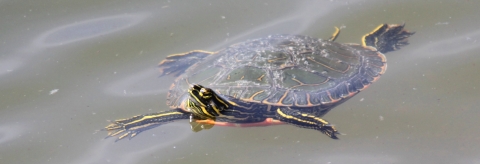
(387, 37)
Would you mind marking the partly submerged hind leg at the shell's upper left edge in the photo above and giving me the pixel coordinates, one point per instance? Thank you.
(176, 64)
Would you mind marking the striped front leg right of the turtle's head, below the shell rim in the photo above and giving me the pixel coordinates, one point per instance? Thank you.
(306, 120)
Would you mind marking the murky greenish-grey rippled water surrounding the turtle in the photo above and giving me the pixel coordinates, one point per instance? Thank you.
(68, 66)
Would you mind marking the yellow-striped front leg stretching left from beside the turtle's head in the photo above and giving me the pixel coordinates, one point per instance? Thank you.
(137, 124)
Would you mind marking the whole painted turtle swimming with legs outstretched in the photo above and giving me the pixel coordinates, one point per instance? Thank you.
(278, 79)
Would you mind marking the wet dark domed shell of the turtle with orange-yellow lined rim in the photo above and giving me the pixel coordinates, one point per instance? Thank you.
(284, 70)
